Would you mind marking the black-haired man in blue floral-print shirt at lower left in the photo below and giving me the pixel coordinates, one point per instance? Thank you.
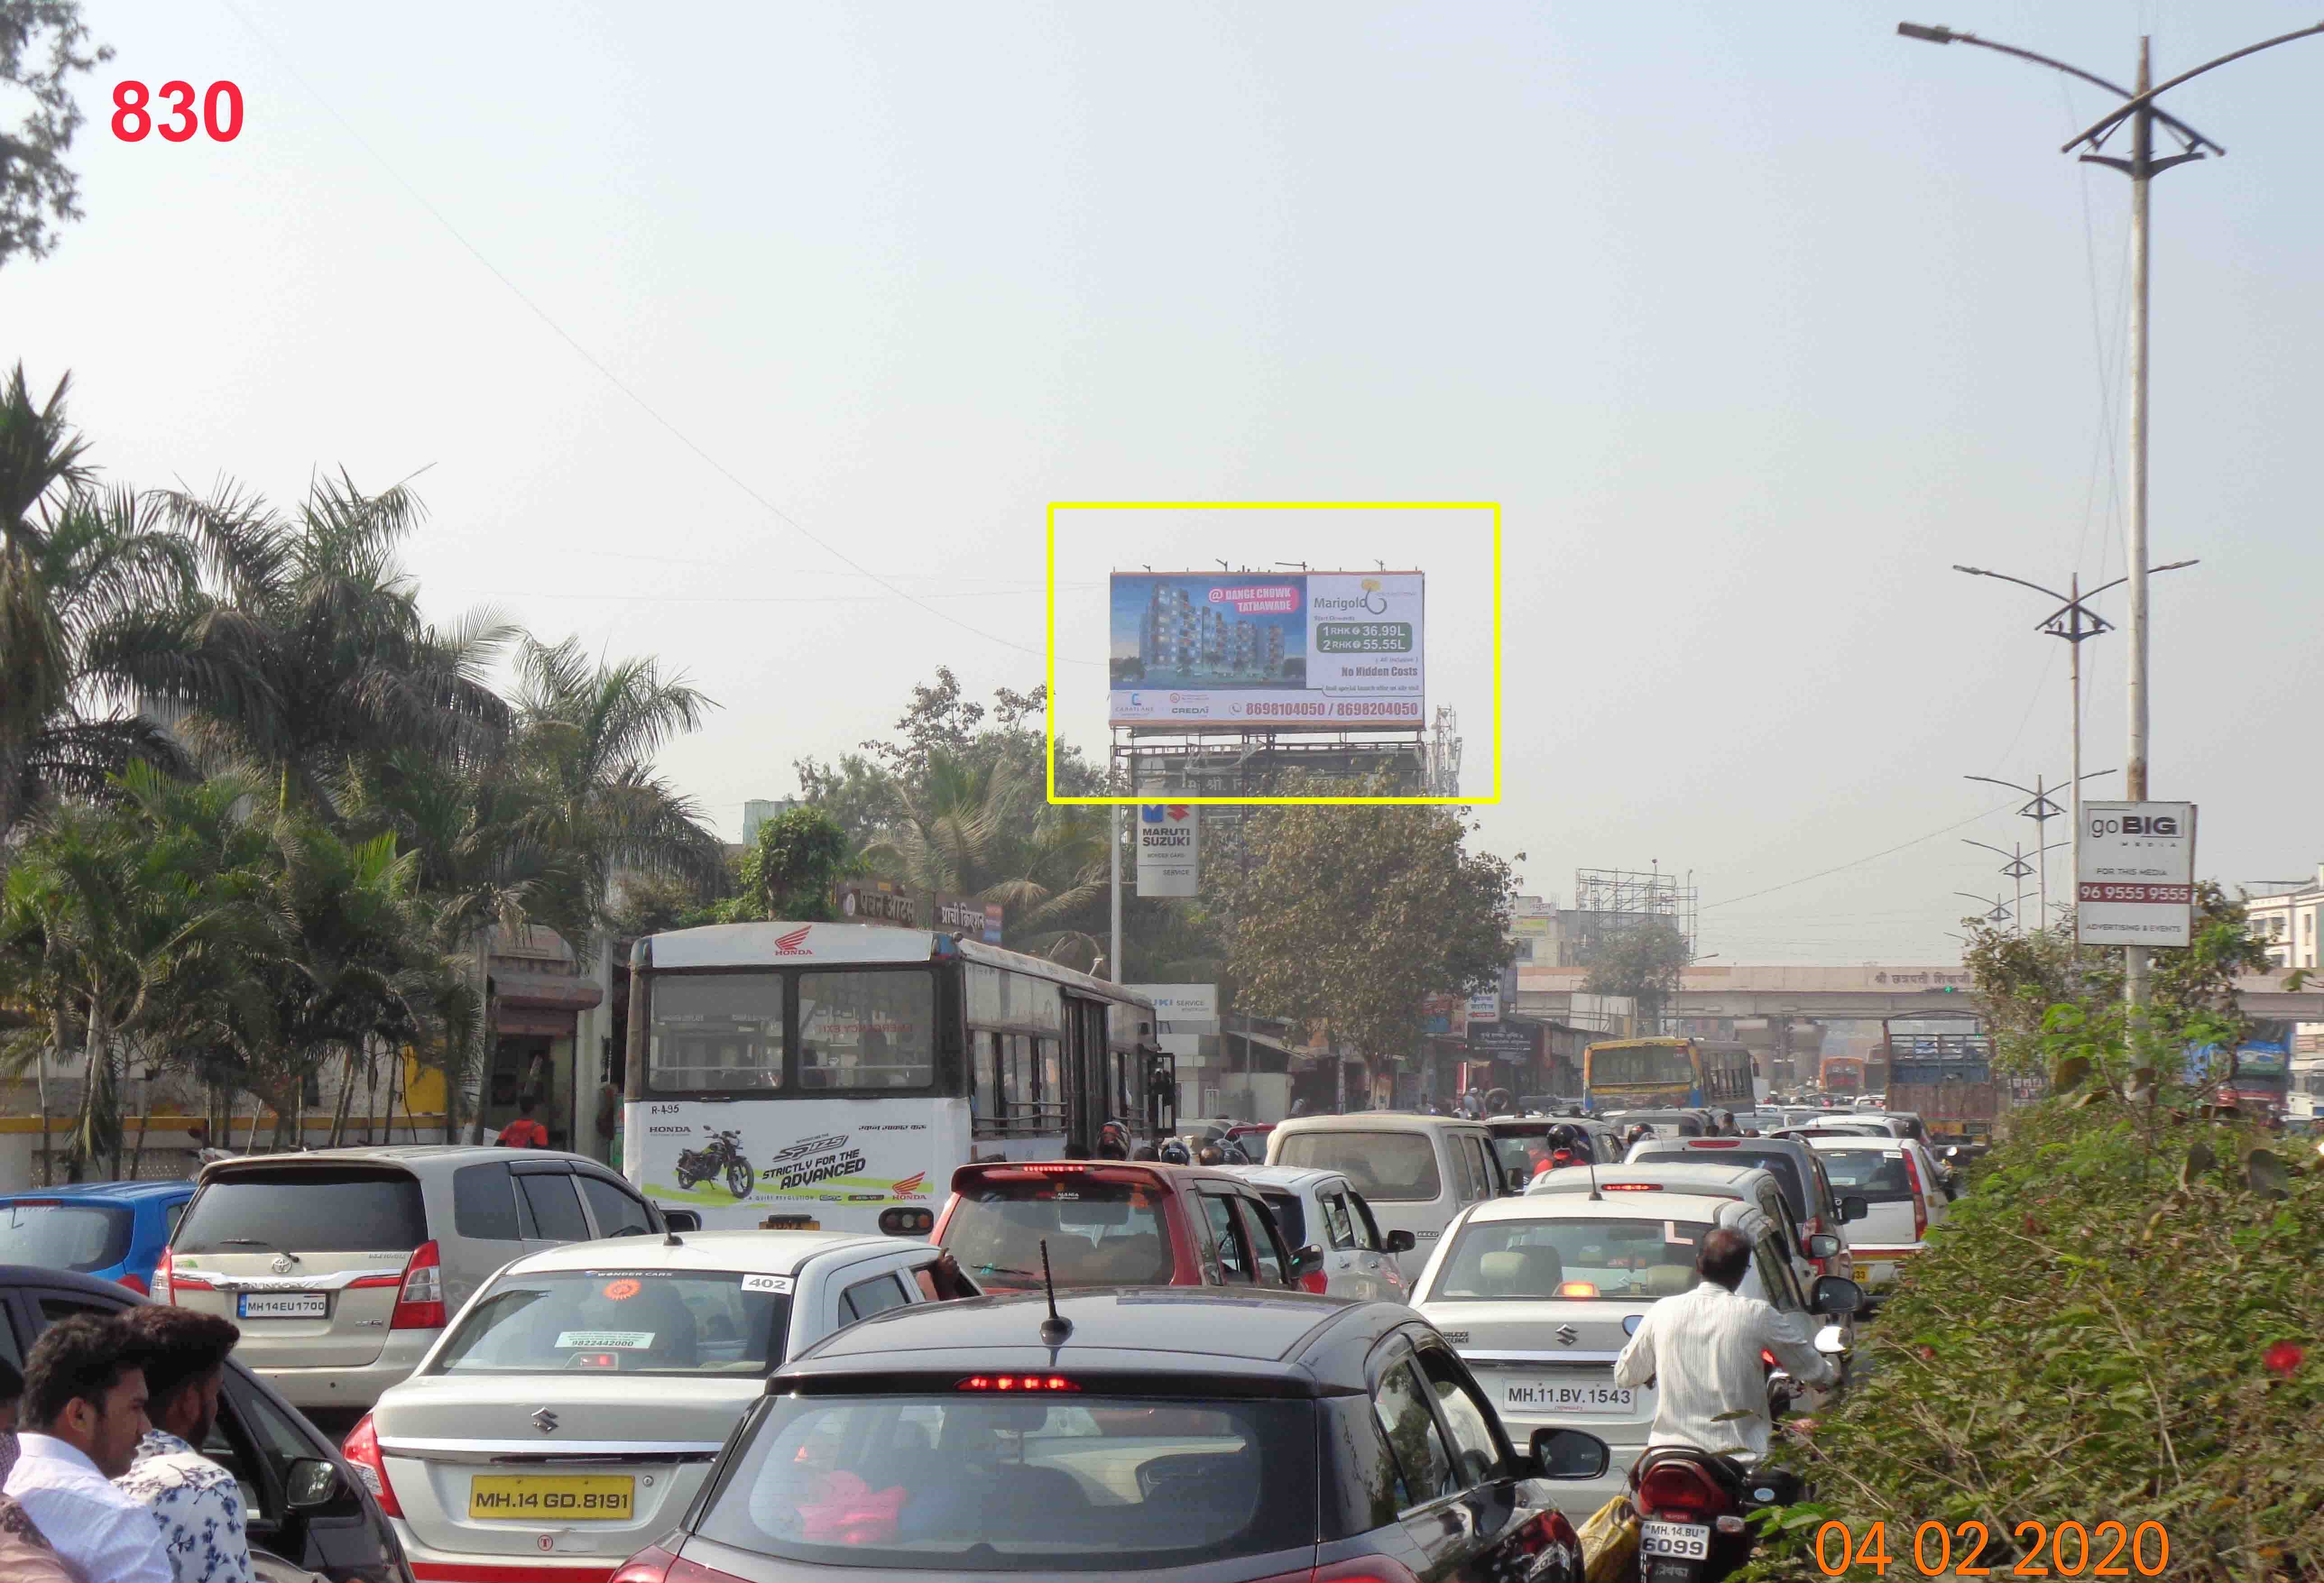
(192, 1498)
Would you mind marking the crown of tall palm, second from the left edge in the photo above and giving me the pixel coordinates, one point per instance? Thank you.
(306, 650)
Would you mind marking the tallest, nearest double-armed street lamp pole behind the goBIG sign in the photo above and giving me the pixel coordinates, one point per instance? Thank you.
(2142, 169)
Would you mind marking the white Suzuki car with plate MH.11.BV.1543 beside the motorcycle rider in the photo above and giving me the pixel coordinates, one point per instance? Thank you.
(1540, 1294)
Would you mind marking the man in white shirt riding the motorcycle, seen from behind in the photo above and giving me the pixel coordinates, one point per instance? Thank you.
(1702, 1356)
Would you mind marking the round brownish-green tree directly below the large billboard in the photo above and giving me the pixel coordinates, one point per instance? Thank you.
(1354, 915)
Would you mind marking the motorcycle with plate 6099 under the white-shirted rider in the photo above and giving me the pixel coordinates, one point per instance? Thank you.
(1695, 1505)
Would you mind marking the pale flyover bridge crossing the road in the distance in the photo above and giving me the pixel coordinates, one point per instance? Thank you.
(1870, 991)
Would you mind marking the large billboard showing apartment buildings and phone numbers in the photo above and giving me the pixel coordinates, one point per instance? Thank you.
(1310, 650)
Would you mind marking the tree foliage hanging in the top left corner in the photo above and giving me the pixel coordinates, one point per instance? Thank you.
(43, 43)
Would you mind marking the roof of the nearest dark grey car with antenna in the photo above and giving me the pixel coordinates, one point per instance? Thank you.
(1263, 1342)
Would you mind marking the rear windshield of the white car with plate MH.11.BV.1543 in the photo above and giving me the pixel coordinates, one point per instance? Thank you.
(1570, 1261)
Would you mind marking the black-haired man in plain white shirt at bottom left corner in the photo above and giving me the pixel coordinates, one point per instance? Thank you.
(83, 1419)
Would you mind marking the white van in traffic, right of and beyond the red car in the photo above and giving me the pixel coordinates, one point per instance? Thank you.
(1414, 1170)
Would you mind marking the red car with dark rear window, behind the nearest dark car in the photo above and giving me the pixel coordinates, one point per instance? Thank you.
(1117, 1224)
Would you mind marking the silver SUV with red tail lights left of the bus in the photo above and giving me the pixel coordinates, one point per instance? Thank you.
(345, 1266)
